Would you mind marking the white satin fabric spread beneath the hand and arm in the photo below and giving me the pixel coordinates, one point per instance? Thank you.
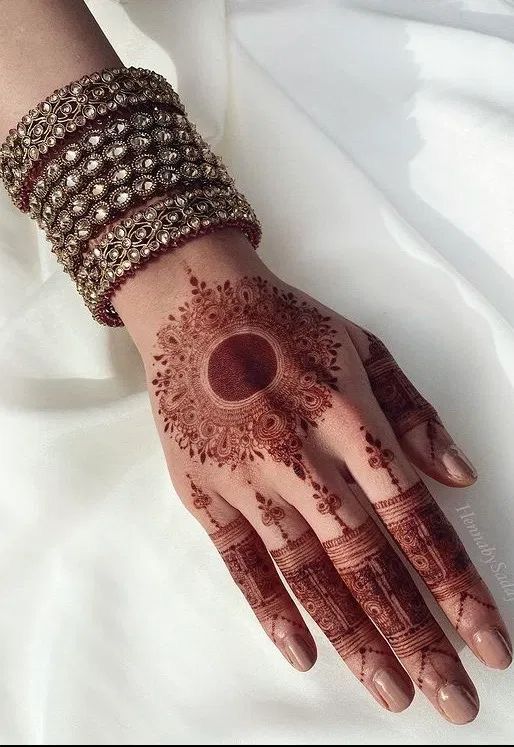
(375, 140)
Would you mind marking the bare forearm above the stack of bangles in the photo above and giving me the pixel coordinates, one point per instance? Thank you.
(45, 44)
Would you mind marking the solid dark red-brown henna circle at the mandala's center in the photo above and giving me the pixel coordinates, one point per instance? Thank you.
(240, 366)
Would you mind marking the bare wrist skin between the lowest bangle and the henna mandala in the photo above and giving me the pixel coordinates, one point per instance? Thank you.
(158, 287)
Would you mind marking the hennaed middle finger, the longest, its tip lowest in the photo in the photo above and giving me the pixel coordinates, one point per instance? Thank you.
(381, 584)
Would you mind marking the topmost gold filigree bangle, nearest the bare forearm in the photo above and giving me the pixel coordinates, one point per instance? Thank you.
(71, 108)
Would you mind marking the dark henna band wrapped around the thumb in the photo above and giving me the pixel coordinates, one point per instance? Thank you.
(400, 401)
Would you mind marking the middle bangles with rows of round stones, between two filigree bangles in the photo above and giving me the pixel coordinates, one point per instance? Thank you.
(130, 169)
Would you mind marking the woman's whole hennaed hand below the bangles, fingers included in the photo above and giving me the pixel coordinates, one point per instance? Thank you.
(292, 435)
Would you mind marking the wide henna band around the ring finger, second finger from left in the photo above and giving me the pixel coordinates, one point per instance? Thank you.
(316, 584)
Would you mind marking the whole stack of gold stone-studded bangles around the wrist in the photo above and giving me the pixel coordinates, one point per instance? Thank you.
(115, 174)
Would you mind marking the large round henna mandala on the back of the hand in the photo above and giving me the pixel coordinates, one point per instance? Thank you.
(244, 368)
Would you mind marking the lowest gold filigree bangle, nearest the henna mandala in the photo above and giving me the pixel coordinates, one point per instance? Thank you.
(155, 230)
